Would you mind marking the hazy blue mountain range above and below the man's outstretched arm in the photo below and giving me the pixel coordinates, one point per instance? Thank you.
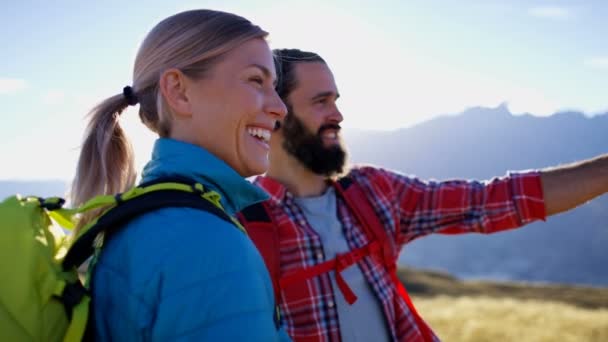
(485, 142)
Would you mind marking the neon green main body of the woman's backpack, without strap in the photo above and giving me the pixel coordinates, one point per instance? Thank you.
(31, 248)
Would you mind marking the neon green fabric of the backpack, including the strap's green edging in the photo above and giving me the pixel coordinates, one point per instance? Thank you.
(32, 248)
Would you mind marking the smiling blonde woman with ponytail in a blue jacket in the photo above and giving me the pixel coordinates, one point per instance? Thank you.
(204, 83)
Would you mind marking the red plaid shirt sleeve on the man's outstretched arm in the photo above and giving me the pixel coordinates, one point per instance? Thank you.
(458, 206)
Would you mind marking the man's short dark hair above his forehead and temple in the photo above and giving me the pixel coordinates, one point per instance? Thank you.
(285, 61)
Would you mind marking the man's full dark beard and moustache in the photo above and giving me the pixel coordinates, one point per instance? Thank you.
(309, 149)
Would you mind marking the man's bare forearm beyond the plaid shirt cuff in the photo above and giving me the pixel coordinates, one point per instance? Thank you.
(568, 186)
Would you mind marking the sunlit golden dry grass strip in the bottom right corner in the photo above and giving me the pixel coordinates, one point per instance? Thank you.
(468, 319)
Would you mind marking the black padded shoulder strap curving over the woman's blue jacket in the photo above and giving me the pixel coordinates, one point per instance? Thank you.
(125, 210)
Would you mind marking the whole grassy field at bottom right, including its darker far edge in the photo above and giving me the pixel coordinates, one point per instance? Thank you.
(486, 311)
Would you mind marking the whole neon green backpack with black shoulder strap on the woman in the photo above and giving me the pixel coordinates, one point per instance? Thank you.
(42, 297)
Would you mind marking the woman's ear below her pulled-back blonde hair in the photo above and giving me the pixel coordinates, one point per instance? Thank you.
(173, 84)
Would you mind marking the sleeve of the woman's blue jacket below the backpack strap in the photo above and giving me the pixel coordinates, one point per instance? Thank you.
(213, 286)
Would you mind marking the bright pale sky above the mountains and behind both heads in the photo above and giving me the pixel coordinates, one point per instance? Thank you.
(396, 63)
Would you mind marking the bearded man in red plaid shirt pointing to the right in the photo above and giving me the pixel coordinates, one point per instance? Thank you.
(315, 225)
